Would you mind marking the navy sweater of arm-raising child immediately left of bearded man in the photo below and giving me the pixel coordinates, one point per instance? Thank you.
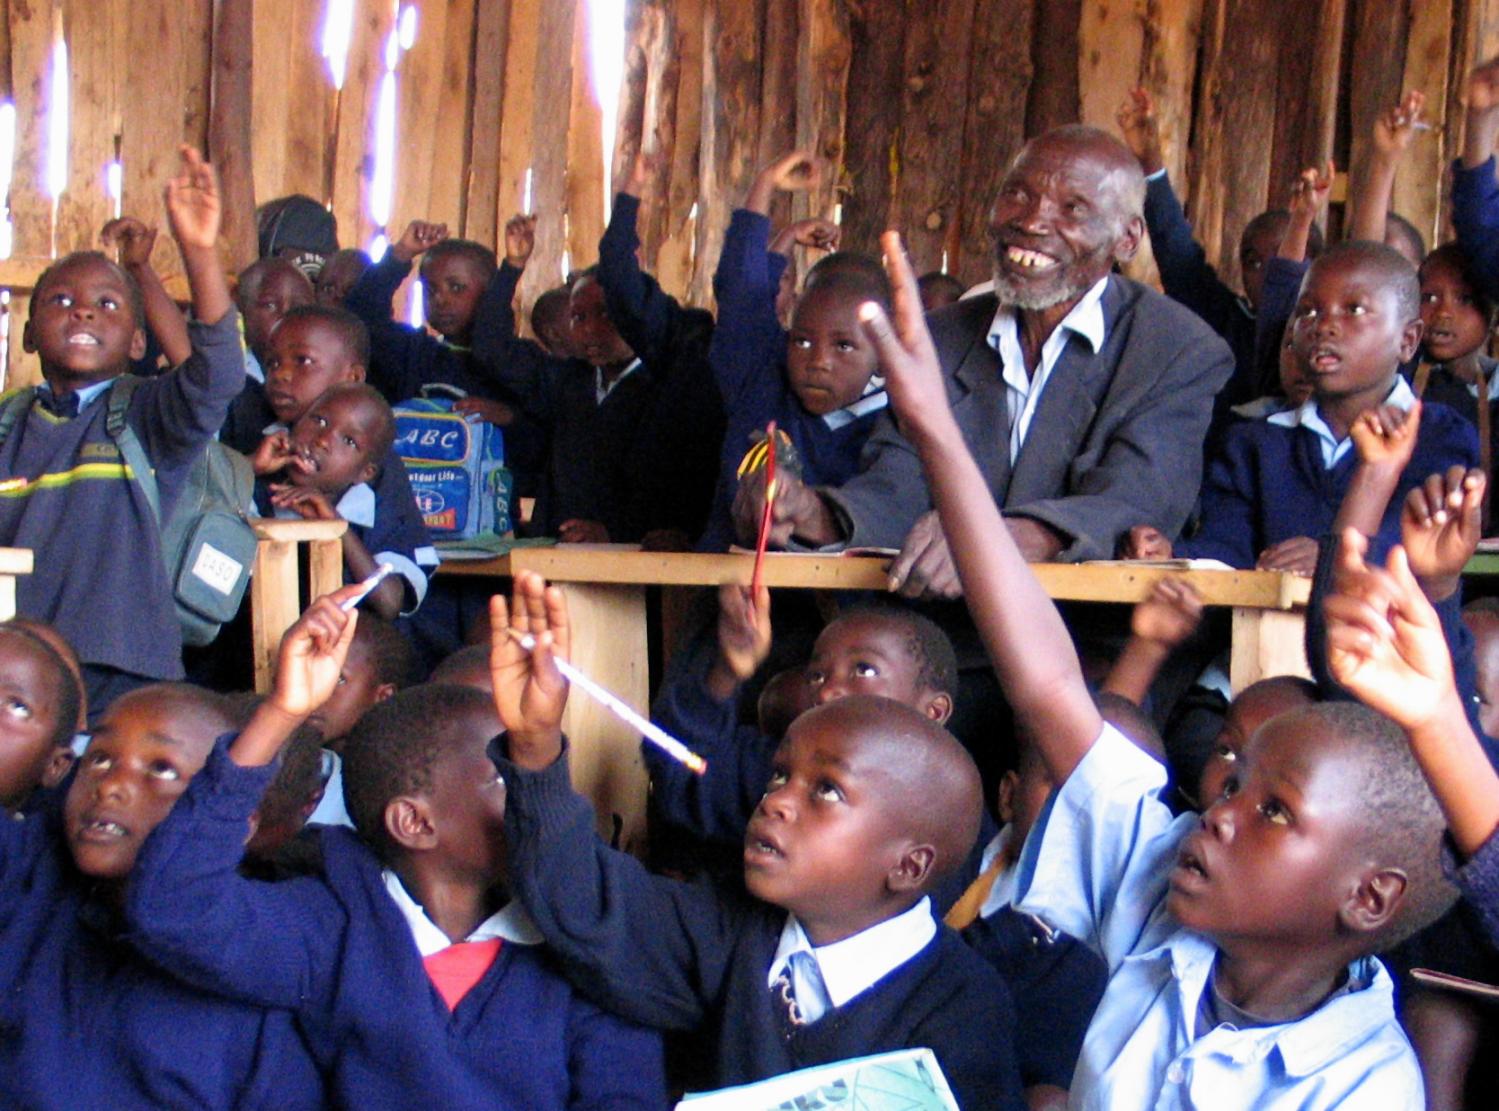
(749, 364)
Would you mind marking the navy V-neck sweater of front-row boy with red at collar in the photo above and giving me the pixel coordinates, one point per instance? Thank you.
(338, 953)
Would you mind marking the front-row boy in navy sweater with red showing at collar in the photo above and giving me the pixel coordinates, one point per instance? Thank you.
(413, 980)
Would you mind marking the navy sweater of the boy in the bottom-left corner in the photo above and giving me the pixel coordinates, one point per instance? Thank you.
(88, 1023)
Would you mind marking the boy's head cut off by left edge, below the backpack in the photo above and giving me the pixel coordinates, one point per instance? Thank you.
(40, 702)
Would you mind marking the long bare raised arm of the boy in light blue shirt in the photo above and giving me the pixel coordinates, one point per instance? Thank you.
(1031, 648)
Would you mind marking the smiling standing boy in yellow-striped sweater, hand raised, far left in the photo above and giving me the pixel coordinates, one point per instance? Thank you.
(68, 493)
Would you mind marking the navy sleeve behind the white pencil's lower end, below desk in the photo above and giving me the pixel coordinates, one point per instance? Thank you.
(717, 804)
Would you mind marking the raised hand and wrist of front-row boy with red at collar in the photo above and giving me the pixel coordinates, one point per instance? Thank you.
(308, 669)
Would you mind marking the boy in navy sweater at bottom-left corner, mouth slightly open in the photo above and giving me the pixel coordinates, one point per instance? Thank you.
(86, 1020)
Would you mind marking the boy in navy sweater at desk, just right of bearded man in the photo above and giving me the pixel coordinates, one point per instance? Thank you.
(1278, 484)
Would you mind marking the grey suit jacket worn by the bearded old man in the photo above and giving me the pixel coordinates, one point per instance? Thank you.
(1116, 440)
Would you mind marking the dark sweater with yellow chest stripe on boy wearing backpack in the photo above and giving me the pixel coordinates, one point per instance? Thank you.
(68, 496)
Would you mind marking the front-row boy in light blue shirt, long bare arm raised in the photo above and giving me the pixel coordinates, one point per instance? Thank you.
(1239, 942)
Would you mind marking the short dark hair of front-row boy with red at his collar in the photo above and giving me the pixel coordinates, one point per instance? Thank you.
(395, 747)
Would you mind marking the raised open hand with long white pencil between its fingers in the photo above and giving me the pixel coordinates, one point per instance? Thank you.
(530, 690)
